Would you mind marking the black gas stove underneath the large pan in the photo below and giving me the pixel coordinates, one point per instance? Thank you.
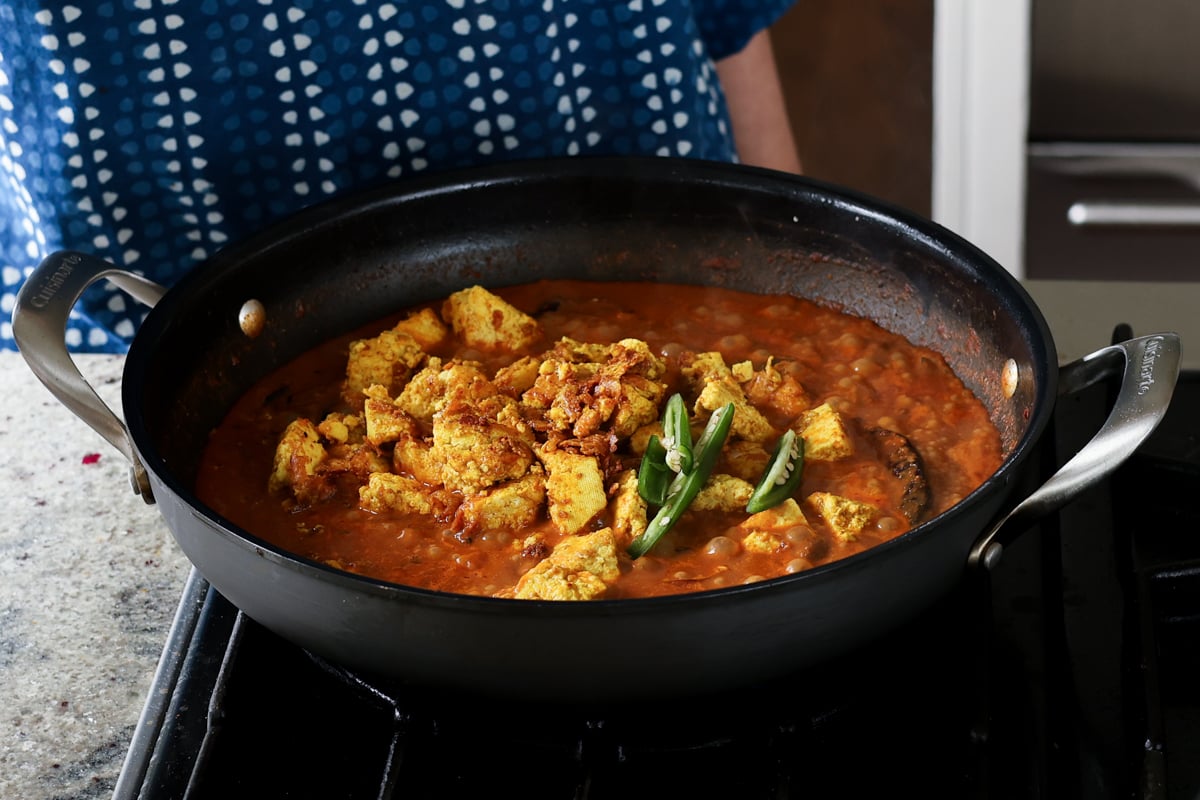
(1067, 673)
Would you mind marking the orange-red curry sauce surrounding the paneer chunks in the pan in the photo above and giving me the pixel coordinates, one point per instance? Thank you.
(874, 380)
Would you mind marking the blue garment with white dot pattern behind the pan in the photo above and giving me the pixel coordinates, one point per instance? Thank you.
(154, 133)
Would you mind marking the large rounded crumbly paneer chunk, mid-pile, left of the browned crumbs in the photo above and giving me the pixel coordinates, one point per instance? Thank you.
(477, 453)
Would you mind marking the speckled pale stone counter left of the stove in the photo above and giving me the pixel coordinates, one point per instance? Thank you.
(89, 584)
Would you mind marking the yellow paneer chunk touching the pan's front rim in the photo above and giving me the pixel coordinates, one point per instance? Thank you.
(580, 568)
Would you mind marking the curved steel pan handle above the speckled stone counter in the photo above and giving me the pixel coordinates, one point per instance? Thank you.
(39, 323)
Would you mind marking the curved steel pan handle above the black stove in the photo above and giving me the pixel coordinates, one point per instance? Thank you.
(1150, 368)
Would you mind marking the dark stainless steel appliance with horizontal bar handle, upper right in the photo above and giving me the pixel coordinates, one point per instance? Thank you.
(1114, 141)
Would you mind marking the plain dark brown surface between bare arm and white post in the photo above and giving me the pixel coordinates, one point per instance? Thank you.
(859, 81)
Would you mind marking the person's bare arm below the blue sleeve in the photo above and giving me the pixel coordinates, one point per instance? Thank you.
(763, 131)
